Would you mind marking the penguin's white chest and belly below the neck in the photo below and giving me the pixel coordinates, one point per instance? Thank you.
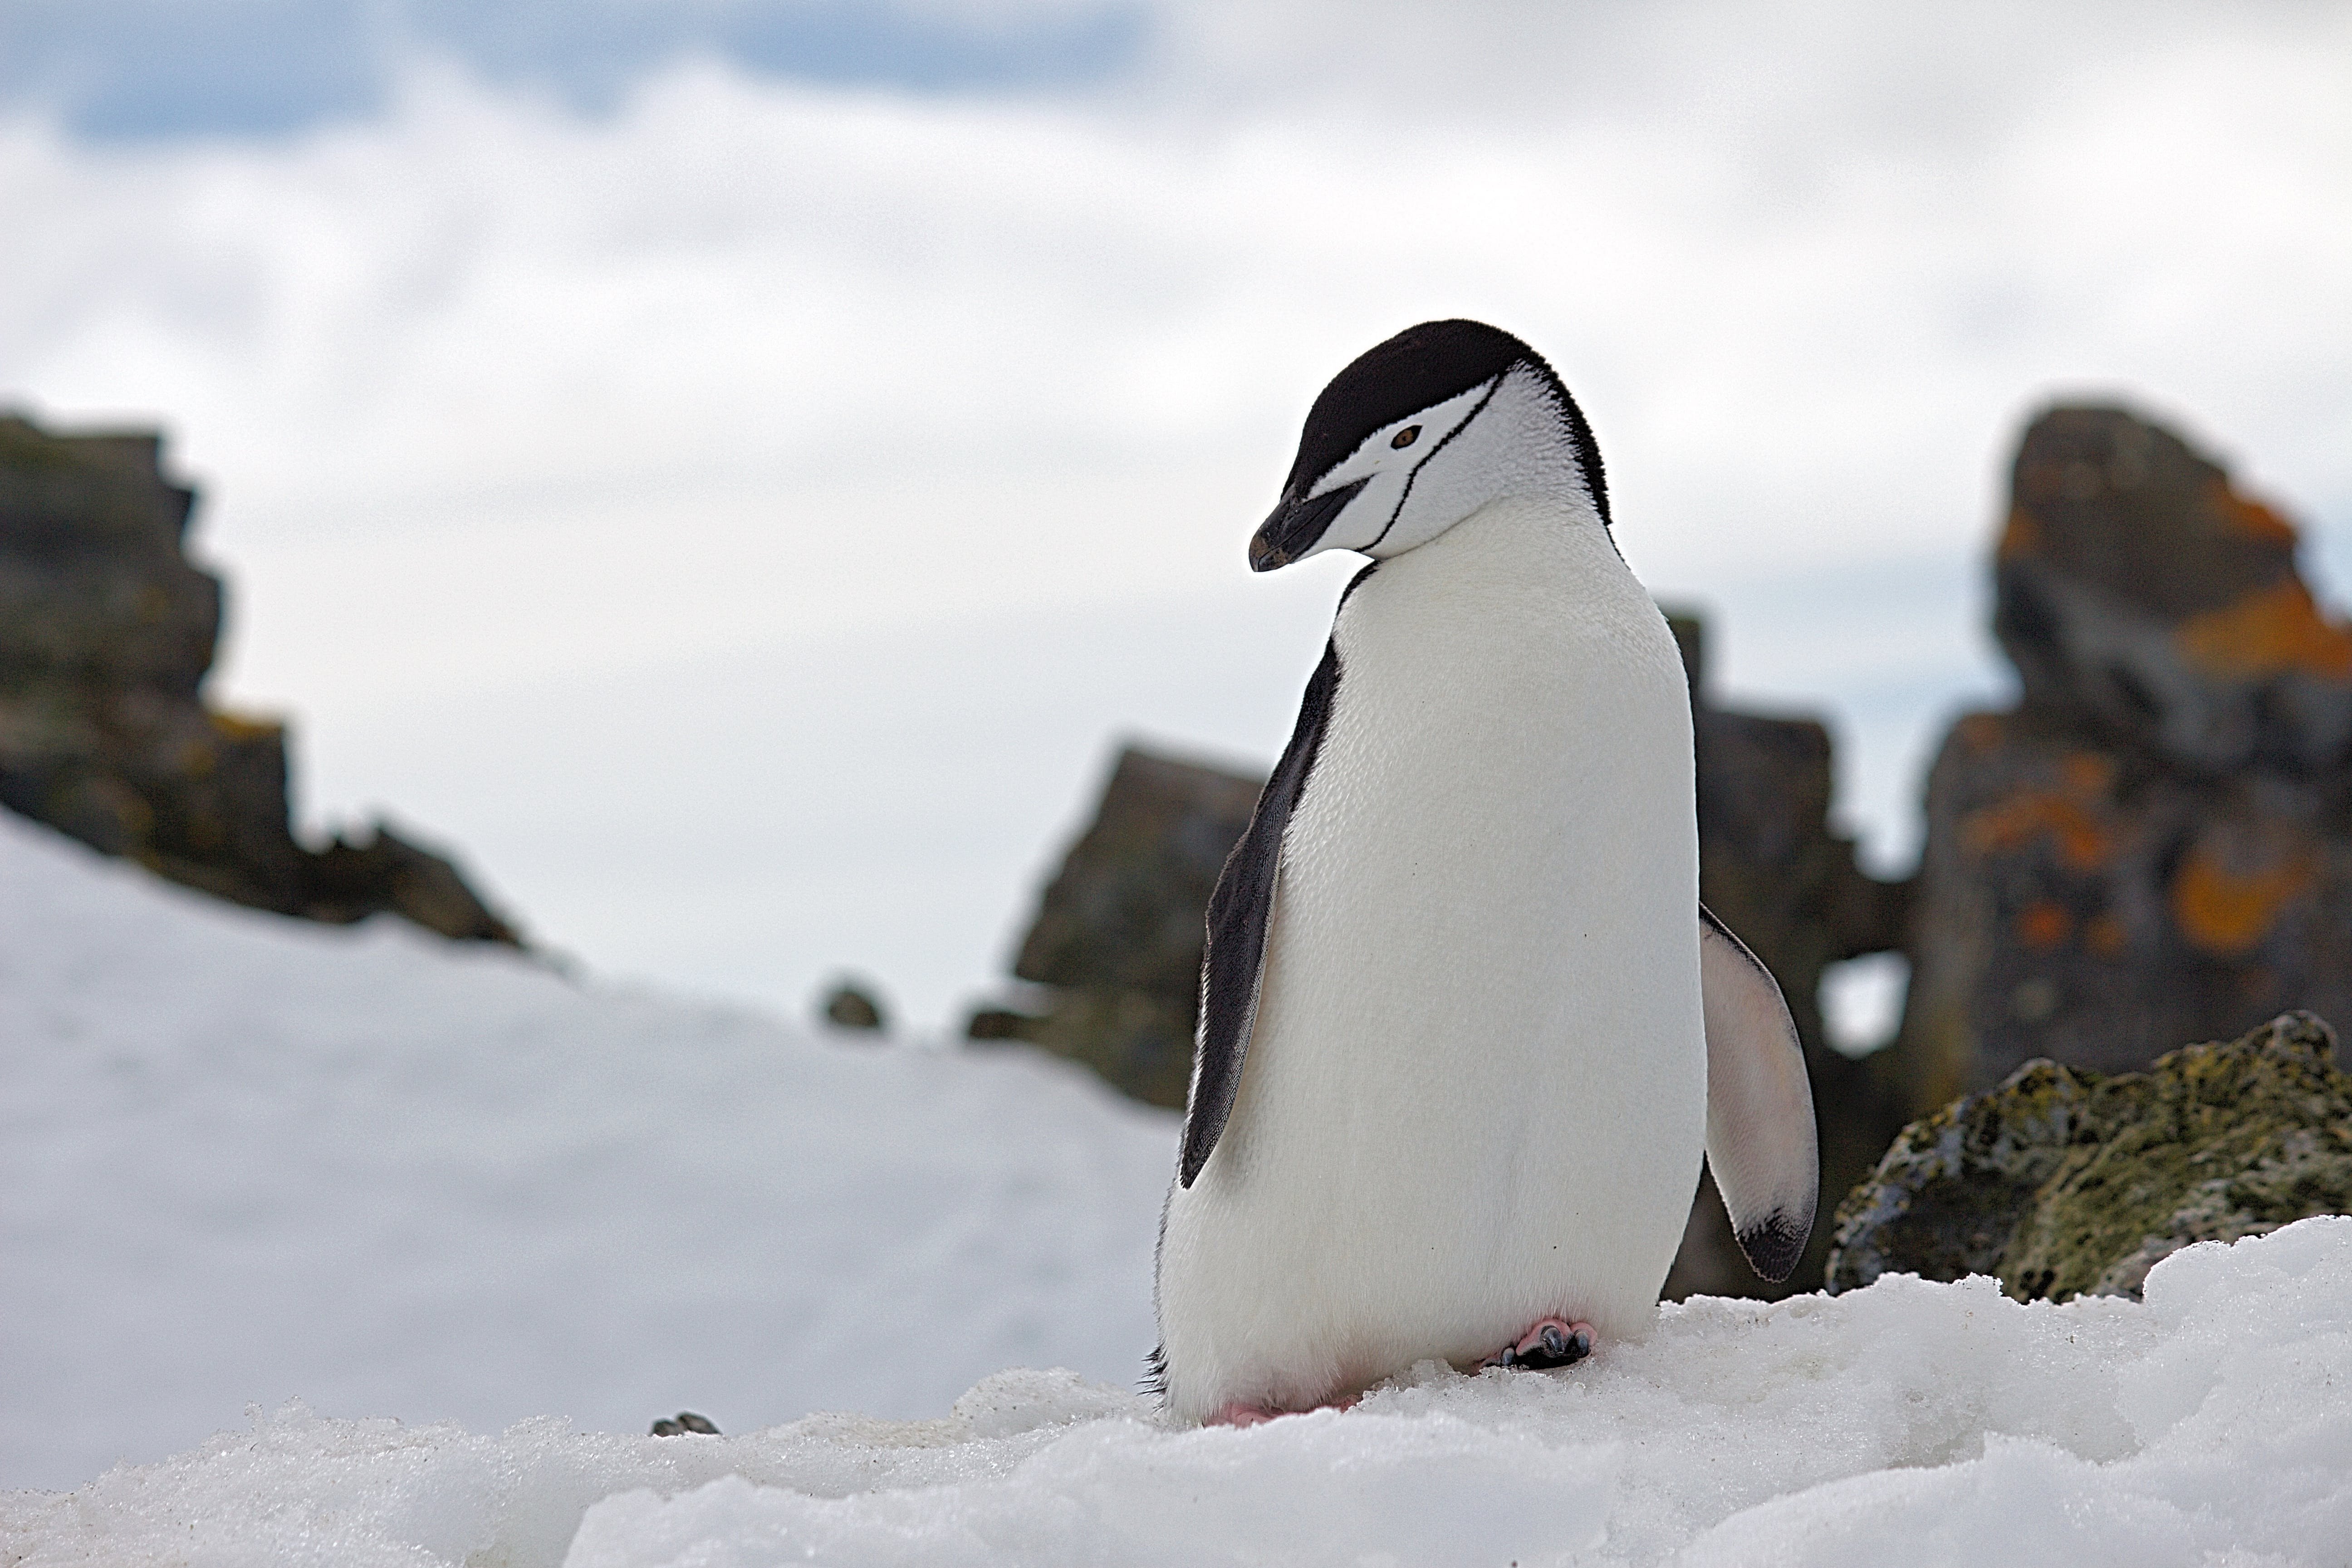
(1476, 1087)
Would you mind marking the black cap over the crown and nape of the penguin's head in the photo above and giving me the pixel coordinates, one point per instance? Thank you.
(1410, 373)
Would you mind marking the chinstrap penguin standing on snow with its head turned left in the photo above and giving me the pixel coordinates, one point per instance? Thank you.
(1464, 1024)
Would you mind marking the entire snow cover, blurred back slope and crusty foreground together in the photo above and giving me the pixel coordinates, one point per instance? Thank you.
(486, 1186)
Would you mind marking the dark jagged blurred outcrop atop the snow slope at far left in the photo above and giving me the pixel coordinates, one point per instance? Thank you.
(107, 634)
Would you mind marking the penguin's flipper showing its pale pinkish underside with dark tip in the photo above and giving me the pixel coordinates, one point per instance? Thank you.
(1760, 1104)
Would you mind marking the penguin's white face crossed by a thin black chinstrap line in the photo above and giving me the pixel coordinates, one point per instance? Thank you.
(1429, 471)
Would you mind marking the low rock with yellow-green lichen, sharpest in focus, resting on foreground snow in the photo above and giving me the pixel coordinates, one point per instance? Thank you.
(2076, 1184)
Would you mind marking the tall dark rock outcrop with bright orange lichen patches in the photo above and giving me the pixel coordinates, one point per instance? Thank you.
(2156, 843)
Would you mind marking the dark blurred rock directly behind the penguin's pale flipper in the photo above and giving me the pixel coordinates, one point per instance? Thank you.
(1775, 871)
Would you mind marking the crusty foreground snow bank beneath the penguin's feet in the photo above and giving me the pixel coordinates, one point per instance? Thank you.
(1911, 1423)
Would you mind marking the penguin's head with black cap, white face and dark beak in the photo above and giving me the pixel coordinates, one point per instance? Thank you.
(1424, 431)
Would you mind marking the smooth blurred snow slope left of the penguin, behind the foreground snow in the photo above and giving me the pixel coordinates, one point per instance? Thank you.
(248, 1160)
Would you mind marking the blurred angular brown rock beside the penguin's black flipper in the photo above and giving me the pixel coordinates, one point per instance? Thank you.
(1121, 927)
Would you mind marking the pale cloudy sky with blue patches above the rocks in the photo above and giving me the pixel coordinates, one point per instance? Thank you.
(740, 471)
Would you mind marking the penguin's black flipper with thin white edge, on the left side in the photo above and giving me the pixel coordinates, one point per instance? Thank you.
(1241, 916)
